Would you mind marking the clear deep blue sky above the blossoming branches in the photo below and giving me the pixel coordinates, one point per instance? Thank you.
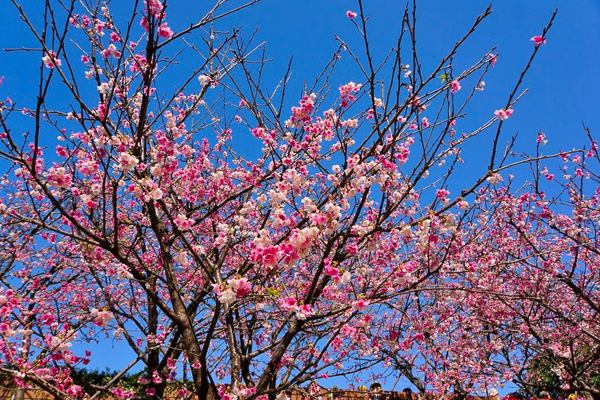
(563, 81)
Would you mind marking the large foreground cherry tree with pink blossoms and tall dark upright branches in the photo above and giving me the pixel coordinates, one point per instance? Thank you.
(341, 245)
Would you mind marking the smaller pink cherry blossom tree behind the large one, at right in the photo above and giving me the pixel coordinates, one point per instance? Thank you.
(519, 300)
